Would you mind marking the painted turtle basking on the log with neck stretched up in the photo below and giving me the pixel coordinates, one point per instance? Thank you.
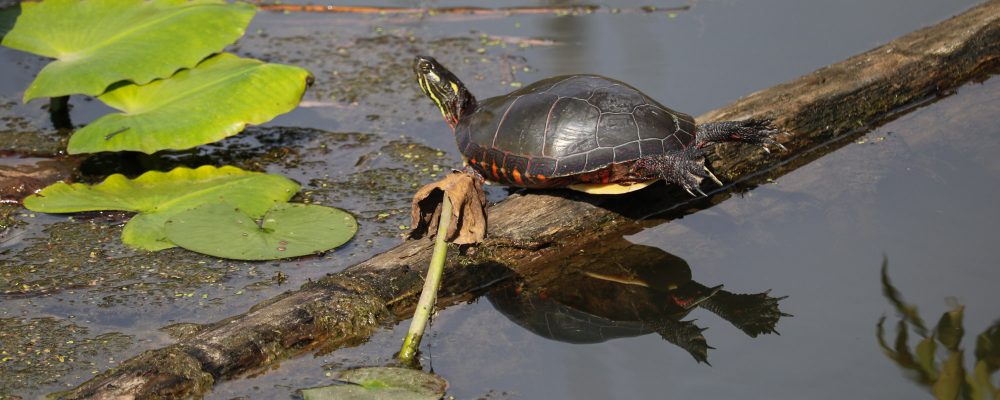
(586, 132)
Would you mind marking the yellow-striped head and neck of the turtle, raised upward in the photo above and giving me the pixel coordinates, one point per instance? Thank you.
(444, 88)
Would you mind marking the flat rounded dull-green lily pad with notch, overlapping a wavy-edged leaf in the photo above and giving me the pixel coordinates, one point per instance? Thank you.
(286, 230)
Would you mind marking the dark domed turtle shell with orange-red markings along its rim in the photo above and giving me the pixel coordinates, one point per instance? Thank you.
(566, 127)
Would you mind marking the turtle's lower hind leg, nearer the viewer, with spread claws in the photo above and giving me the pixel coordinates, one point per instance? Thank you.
(685, 168)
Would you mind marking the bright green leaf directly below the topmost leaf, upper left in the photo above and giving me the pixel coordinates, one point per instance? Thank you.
(197, 106)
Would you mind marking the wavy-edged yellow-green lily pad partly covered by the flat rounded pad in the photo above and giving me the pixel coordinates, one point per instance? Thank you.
(157, 196)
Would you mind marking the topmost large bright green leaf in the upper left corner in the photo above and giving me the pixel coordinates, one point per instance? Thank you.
(100, 42)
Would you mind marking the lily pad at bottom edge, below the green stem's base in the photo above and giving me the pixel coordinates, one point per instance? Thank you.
(387, 383)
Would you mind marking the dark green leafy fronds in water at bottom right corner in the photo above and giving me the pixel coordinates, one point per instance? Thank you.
(946, 376)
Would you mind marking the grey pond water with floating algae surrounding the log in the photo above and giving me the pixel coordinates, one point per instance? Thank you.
(919, 191)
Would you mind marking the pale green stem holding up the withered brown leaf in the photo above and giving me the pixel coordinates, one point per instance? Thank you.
(431, 284)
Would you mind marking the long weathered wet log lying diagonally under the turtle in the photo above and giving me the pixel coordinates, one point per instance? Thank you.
(821, 111)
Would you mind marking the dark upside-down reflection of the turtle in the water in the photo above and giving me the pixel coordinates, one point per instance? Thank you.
(629, 290)
